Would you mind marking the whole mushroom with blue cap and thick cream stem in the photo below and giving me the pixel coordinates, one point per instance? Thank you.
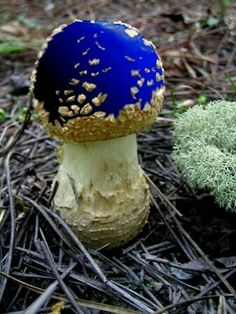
(96, 84)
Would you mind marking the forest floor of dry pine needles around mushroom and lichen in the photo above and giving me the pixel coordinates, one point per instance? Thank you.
(184, 261)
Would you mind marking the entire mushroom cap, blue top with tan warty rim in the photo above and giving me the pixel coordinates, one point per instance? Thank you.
(97, 80)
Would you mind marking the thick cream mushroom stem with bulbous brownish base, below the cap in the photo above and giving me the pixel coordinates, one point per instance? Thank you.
(102, 192)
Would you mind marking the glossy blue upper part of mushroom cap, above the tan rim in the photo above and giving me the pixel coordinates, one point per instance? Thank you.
(99, 66)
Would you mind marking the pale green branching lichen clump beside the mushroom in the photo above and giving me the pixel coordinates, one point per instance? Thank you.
(205, 150)
